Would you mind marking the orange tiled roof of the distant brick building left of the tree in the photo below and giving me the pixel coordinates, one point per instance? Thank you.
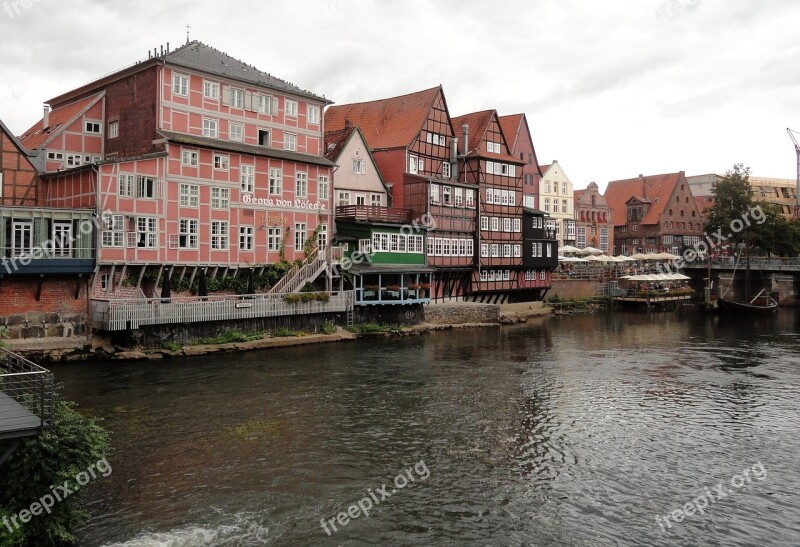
(655, 189)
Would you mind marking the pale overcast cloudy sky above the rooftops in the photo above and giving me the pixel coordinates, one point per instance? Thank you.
(611, 88)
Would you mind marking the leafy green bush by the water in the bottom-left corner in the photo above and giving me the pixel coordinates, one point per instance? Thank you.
(74, 444)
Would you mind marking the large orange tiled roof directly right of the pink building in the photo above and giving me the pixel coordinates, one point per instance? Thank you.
(386, 123)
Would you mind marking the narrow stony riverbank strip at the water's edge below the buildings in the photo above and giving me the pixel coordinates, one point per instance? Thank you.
(443, 316)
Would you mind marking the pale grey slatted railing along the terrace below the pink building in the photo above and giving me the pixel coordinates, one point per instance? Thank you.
(124, 314)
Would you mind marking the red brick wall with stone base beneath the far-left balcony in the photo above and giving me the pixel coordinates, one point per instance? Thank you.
(57, 312)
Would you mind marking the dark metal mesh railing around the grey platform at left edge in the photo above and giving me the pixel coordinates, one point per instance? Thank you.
(26, 396)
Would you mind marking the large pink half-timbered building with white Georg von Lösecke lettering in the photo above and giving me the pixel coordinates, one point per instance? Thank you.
(193, 160)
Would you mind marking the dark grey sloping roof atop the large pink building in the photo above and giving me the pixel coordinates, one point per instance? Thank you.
(198, 56)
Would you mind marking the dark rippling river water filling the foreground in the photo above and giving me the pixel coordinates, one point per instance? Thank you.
(579, 430)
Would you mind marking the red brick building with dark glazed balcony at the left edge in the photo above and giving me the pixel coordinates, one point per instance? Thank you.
(46, 254)
